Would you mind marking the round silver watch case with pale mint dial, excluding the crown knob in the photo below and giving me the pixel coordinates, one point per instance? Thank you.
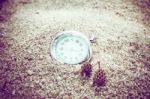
(71, 48)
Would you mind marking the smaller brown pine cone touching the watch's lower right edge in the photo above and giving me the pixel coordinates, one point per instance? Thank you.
(86, 70)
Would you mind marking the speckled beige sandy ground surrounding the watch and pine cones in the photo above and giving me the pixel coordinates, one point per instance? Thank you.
(27, 71)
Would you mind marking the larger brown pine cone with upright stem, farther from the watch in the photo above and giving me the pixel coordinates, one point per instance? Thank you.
(99, 78)
